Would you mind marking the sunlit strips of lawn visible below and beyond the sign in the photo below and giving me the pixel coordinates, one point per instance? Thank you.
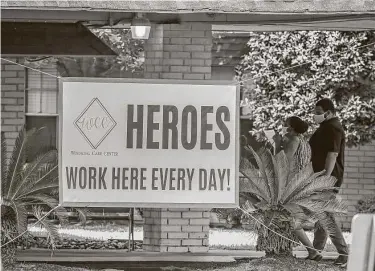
(219, 238)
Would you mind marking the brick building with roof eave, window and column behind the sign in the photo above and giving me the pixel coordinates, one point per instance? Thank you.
(181, 50)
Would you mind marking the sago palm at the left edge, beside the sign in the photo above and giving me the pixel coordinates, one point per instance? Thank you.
(27, 187)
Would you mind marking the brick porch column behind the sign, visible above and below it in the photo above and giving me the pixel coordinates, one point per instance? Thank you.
(178, 52)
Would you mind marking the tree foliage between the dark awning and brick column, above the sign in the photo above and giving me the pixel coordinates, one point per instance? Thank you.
(129, 58)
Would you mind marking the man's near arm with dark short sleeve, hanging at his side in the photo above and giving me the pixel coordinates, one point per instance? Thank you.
(333, 143)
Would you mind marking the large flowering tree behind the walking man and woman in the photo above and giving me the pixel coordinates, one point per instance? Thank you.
(285, 73)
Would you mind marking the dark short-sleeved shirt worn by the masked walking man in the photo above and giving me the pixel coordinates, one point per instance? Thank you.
(329, 137)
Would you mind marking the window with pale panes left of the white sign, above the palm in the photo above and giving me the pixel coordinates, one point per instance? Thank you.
(42, 105)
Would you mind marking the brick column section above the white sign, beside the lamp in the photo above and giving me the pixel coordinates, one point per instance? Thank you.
(179, 52)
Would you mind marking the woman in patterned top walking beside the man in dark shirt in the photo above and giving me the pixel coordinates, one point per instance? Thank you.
(298, 153)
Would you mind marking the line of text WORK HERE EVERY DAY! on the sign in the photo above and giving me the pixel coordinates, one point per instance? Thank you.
(136, 178)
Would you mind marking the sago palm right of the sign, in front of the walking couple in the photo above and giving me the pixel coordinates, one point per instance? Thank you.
(282, 197)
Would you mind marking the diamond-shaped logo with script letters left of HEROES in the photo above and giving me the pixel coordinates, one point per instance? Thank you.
(95, 123)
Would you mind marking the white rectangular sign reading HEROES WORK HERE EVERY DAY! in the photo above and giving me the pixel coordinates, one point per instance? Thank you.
(148, 143)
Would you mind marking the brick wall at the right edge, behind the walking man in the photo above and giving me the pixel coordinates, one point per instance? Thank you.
(359, 179)
